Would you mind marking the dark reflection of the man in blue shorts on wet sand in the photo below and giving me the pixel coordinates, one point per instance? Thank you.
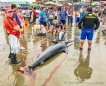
(83, 71)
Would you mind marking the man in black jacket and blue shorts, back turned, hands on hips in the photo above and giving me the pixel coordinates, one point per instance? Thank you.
(88, 24)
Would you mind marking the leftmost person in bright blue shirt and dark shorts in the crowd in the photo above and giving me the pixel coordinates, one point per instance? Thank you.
(43, 17)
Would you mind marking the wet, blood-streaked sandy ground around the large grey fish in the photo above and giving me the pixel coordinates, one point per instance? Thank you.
(62, 69)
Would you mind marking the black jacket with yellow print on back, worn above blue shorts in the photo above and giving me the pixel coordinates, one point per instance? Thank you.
(89, 21)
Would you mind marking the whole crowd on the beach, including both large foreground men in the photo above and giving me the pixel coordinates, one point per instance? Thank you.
(53, 19)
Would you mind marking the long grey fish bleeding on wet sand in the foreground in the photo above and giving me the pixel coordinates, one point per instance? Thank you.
(47, 54)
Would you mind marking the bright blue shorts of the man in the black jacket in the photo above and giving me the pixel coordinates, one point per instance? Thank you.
(87, 33)
